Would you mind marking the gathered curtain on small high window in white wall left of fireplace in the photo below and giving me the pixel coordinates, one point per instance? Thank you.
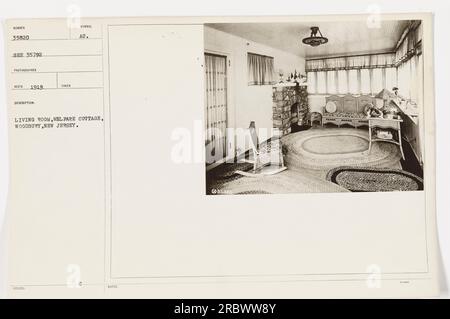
(260, 69)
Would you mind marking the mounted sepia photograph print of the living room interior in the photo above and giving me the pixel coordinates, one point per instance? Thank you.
(314, 107)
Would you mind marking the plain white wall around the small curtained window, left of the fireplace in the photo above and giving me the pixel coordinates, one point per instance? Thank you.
(249, 103)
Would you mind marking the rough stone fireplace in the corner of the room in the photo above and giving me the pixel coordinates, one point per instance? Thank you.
(290, 106)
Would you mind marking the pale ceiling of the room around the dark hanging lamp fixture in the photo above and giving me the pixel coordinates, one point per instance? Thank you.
(344, 37)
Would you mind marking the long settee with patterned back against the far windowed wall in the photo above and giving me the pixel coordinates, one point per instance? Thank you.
(349, 109)
